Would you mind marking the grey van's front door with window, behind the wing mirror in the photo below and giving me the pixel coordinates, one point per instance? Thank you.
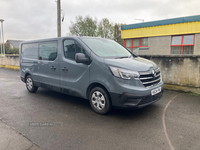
(74, 76)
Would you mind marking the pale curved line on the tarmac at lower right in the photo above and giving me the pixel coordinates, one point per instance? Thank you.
(164, 123)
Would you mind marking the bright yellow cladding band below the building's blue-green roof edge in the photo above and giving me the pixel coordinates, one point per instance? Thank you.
(171, 29)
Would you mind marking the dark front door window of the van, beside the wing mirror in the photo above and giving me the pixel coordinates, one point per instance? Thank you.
(71, 48)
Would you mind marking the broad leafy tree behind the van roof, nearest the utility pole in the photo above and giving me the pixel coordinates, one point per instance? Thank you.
(84, 26)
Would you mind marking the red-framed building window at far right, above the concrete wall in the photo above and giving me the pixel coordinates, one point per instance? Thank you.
(182, 44)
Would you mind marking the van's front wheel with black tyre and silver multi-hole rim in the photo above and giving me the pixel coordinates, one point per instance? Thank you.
(100, 101)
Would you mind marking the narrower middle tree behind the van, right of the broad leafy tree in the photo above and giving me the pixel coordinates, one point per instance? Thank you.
(105, 29)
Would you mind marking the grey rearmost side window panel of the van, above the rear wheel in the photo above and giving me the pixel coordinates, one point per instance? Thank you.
(30, 51)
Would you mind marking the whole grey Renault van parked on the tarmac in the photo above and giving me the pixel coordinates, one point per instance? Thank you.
(97, 69)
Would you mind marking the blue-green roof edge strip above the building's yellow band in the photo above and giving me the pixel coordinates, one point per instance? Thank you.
(162, 22)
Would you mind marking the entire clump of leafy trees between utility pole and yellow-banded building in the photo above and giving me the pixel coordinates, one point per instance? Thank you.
(91, 27)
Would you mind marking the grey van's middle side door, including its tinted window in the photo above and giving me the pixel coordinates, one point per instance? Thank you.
(48, 65)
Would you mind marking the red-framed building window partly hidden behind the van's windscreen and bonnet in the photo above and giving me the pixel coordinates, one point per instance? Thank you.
(134, 44)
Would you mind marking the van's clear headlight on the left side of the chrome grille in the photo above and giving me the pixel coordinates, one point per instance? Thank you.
(124, 74)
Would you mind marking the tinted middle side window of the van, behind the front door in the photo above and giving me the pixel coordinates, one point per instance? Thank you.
(48, 50)
